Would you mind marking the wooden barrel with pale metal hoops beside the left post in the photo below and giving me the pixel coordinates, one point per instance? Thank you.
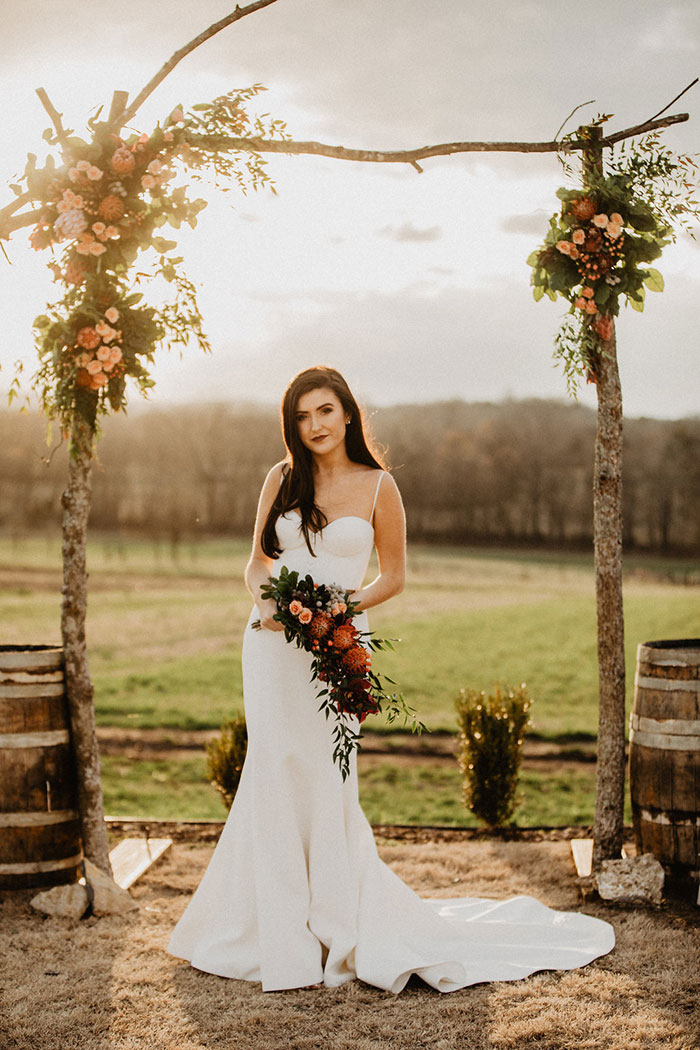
(40, 843)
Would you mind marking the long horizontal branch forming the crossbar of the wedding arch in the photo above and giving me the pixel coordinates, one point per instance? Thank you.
(413, 156)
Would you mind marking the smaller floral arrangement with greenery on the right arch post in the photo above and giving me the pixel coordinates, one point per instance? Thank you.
(598, 249)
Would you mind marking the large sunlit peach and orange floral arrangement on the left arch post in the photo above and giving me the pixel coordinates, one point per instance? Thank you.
(99, 209)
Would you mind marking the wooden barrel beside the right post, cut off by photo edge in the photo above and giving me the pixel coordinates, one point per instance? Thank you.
(665, 753)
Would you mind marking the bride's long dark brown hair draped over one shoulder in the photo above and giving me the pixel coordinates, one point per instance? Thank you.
(296, 491)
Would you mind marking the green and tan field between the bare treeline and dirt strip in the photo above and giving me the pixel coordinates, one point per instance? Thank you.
(164, 634)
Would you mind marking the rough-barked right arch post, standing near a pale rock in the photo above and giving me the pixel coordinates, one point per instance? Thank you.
(608, 544)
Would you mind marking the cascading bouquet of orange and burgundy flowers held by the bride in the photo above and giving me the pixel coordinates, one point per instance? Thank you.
(319, 619)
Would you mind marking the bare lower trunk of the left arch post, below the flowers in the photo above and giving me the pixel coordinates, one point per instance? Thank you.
(74, 607)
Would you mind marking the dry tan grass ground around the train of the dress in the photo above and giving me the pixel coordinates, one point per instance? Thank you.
(109, 984)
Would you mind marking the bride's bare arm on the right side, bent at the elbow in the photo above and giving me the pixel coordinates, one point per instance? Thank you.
(391, 543)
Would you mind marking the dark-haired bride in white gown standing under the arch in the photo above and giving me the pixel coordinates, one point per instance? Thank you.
(295, 894)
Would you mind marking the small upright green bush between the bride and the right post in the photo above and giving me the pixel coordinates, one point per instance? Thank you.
(492, 728)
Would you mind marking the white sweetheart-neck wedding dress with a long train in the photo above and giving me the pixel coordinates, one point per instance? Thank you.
(295, 893)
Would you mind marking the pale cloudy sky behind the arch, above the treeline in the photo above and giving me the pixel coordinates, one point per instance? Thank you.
(414, 285)
